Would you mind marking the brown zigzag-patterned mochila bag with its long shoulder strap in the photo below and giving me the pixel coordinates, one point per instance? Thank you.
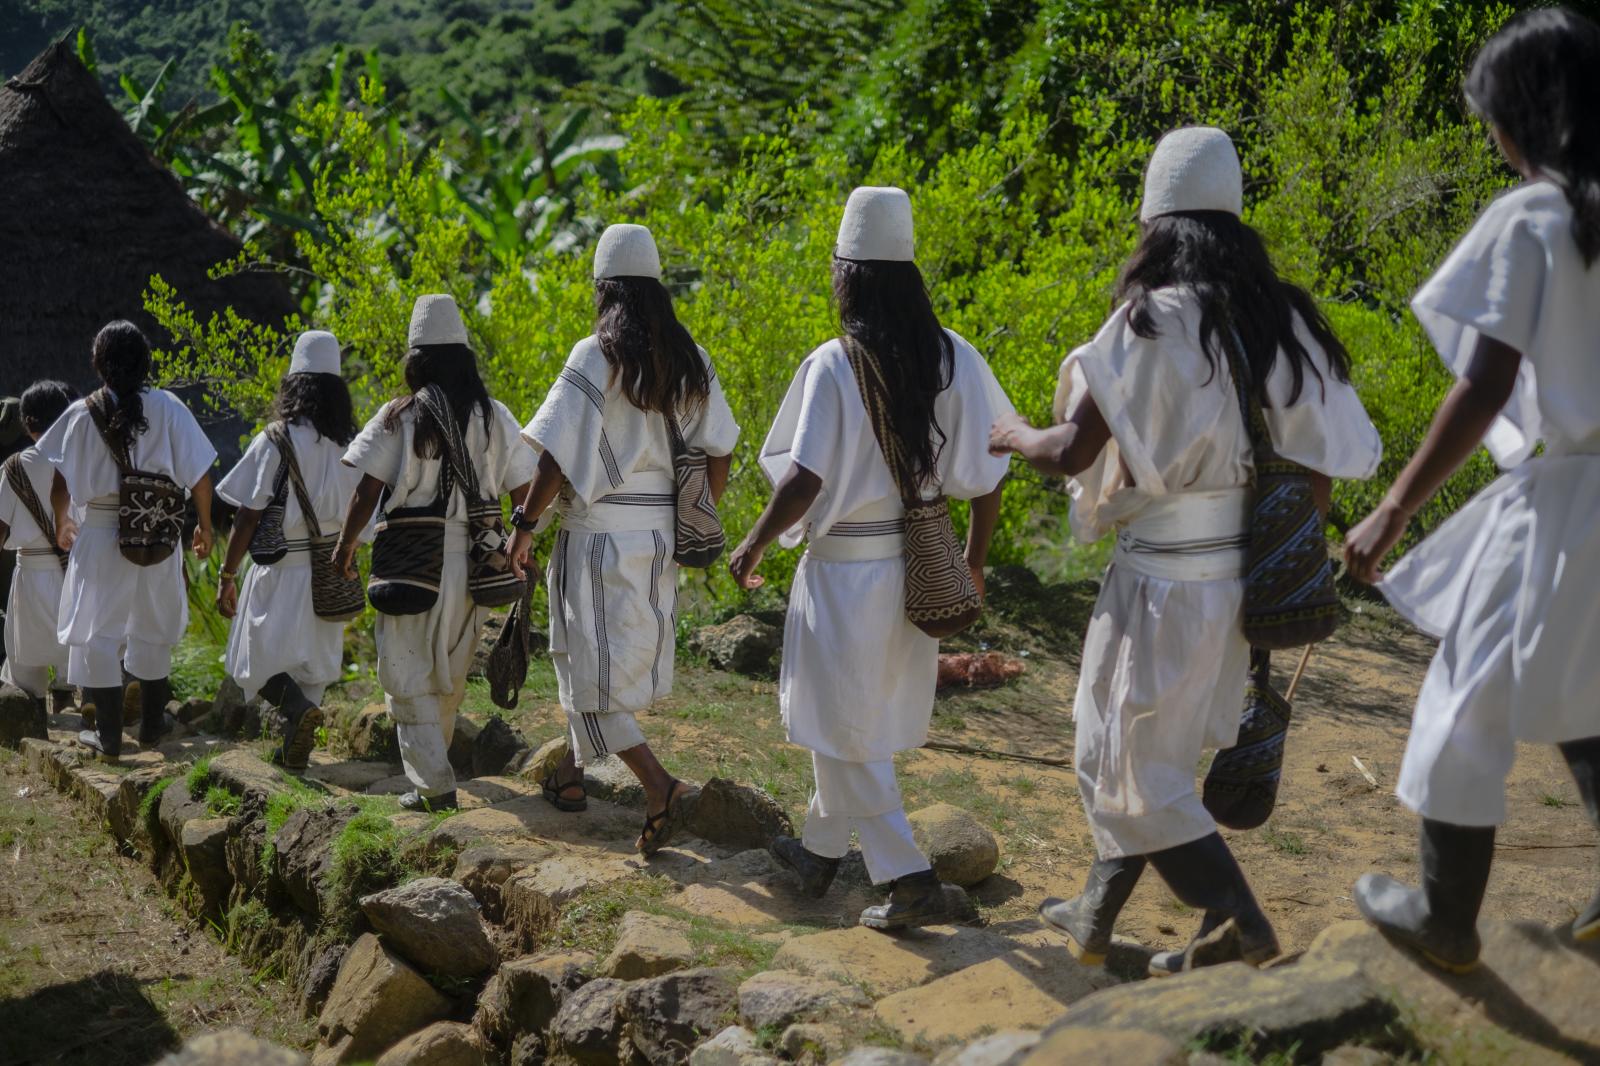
(942, 598)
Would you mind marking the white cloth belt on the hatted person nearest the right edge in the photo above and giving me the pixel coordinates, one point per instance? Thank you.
(1190, 537)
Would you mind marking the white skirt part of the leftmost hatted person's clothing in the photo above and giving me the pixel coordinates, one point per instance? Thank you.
(278, 631)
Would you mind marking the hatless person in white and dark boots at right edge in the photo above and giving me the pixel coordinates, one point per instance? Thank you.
(1508, 585)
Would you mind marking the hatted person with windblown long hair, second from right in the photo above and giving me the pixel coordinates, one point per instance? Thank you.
(1153, 435)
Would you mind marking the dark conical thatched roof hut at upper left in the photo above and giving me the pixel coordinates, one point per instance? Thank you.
(87, 215)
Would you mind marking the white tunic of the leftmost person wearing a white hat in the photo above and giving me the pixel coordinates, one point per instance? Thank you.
(276, 628)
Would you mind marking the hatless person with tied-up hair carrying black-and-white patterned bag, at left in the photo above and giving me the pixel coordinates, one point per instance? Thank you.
(116, 614)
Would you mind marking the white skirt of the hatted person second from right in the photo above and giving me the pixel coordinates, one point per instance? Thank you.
(1164, 678)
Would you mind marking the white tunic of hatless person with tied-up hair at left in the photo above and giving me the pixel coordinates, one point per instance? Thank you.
(105, 596)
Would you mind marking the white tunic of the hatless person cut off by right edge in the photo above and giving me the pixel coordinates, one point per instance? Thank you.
(1508, 582)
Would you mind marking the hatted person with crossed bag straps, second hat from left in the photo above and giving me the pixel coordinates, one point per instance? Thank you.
(423, 659)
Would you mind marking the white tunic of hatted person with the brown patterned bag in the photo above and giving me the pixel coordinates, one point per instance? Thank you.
(858, 679)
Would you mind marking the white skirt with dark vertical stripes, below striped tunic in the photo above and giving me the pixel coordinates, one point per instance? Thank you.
(614, 620)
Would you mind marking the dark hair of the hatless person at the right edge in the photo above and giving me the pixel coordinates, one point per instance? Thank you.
(1538, 81)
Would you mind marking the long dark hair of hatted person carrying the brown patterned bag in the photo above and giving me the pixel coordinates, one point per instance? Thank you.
(884, 308)
